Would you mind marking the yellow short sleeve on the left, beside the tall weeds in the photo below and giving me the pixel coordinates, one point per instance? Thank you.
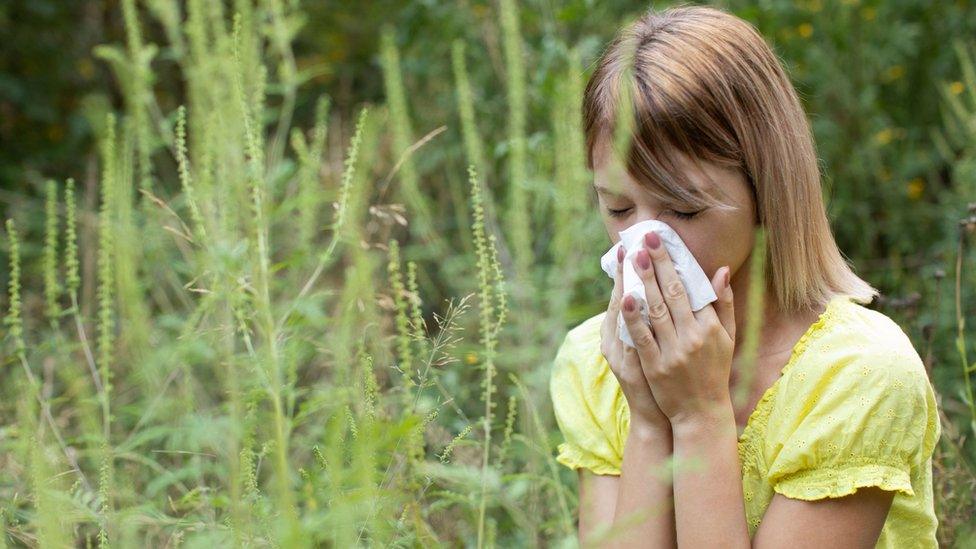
(587, 403)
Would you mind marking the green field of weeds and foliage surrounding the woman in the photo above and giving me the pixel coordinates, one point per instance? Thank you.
(299, 276)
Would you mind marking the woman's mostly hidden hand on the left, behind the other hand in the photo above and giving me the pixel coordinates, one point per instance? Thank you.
(625, 363)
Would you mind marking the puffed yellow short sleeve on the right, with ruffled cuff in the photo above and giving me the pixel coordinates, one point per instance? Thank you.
(866, 420)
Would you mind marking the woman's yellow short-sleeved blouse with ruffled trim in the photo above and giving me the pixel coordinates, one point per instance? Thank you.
(853, 407)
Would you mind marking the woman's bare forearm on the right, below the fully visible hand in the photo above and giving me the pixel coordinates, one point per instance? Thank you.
(708, 502)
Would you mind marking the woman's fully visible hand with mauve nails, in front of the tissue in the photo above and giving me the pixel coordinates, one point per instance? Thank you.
(687, 359)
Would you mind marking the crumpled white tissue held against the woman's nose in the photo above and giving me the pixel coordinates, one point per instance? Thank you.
(697, 284)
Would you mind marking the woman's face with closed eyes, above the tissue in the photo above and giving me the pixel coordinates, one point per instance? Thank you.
(715, 237)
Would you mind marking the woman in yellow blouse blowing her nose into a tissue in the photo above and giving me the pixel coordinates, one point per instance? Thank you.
(841, 421)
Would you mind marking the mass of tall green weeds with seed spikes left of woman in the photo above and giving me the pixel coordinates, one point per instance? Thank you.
(224, 385)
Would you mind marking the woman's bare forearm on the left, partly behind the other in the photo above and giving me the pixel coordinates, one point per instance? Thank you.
(644, 513)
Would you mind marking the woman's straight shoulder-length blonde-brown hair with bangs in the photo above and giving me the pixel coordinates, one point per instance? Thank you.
(705, 83)
